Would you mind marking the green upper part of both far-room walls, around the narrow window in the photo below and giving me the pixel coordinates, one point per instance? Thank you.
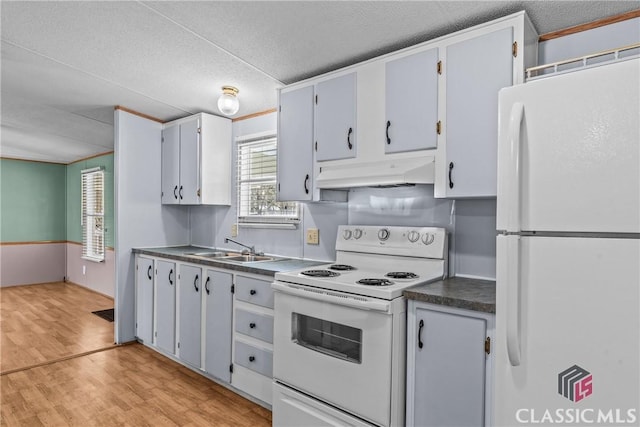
(41, 201)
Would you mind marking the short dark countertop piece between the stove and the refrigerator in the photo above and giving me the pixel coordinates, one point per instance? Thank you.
(460, 292)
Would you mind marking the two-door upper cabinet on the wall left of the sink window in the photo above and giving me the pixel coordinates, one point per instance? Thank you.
(196, 161)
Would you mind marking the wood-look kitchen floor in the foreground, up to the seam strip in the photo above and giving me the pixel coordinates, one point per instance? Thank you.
(129, 385)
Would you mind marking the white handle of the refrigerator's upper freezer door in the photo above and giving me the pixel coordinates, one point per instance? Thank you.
(513, 179)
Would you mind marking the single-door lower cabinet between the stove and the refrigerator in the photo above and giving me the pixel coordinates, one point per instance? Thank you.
(449, 364)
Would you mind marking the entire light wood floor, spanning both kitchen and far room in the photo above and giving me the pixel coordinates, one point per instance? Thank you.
(128, 385)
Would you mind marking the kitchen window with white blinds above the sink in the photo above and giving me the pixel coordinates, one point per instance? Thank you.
(257, 166)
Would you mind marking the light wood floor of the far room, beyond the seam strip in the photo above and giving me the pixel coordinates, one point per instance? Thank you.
(40, 323)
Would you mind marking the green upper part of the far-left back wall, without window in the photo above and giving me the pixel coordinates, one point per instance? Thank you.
(32, 201)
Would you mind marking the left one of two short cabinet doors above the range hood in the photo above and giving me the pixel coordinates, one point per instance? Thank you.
(336, 118)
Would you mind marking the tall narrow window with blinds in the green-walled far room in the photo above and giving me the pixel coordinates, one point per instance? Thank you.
(93, 214)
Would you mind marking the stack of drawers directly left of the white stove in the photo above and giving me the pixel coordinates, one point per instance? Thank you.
(253, 336)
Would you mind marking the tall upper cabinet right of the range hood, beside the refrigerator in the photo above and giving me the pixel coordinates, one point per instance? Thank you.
(475, 66)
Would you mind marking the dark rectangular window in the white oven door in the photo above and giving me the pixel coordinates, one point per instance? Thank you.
(333, 339)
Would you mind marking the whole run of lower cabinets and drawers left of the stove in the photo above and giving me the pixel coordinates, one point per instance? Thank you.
(188, 312)
